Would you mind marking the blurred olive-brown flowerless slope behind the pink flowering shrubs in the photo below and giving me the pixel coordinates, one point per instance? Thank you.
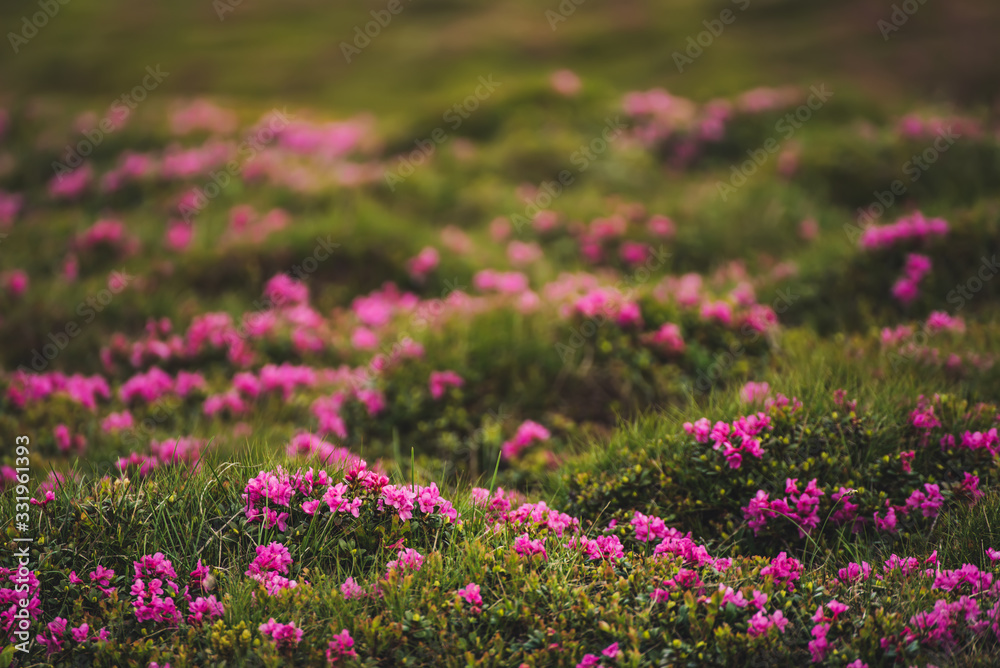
(291, 51)
